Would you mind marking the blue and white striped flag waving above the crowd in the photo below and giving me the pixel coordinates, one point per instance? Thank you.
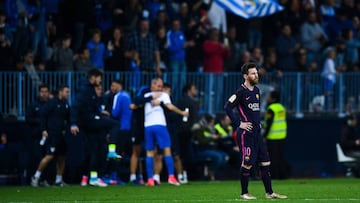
(250, 8)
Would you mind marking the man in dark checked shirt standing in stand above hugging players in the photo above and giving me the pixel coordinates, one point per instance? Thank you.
(143, 44)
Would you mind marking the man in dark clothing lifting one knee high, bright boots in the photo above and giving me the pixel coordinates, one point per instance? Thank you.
(86, 115)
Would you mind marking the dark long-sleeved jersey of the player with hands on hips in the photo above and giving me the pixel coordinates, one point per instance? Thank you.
(247, 103)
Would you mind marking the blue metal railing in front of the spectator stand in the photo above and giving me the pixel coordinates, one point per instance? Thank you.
(301, 93)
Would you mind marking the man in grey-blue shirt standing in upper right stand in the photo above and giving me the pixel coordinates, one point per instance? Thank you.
(313, 37)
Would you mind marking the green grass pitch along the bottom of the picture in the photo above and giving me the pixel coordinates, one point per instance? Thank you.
(298, 190)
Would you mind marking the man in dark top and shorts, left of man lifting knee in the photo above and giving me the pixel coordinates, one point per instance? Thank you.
(54, 118)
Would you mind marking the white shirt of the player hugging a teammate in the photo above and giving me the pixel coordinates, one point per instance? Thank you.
(154, 115)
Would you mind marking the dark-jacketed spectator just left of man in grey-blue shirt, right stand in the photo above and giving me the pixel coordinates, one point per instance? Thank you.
(286, 47)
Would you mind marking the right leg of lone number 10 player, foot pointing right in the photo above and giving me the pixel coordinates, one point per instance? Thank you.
(264, 165)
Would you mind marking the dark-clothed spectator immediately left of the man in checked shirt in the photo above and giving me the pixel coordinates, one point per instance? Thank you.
(116, 62)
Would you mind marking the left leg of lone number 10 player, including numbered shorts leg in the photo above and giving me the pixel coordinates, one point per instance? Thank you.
(246, 145)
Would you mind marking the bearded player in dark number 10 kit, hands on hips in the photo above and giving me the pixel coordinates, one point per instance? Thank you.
(248, 137)
